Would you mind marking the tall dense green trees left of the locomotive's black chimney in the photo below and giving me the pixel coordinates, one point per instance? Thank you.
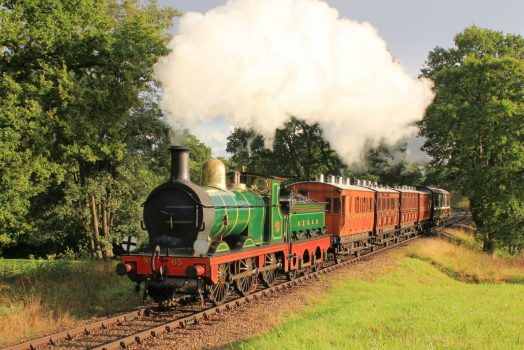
(75, 74)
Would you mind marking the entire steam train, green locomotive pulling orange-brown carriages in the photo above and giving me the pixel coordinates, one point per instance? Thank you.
(240, 229)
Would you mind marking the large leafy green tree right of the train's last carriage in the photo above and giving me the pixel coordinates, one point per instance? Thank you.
(475, 127)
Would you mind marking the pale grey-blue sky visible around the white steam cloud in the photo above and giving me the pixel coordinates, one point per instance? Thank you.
(411, 29)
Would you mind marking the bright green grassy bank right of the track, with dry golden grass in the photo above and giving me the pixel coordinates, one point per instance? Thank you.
(423, 303)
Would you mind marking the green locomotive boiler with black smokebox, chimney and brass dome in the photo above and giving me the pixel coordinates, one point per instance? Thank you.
(182, 217)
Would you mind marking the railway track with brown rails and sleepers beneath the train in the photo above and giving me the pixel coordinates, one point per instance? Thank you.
(137, 326)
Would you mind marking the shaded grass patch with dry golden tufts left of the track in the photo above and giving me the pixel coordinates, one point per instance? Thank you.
(39, 296)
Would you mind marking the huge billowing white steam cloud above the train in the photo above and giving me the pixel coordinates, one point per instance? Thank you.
(258, 62)
